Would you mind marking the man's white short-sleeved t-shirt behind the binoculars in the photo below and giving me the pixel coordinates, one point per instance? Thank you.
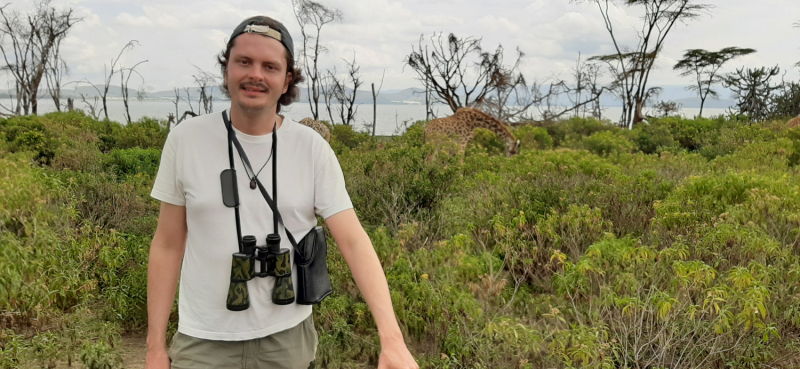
(310, 181)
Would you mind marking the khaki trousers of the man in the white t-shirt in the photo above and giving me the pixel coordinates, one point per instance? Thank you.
(293, 348)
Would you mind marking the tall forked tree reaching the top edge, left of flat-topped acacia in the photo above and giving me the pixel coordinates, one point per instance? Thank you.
(630, 66)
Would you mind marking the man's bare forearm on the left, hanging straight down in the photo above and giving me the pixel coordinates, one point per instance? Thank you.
(163, 270)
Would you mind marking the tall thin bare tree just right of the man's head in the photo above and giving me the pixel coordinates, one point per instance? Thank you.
(312, 16)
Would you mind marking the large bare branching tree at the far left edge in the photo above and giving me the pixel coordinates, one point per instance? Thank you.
(28, 43)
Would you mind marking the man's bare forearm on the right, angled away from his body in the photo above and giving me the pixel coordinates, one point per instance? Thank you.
(371, 281)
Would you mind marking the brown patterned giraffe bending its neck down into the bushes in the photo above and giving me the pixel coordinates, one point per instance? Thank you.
(463, 125)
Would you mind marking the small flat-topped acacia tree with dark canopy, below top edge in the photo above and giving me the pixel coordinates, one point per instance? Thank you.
(705, 65)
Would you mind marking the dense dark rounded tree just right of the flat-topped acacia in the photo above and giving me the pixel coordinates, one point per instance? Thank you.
(754, 90)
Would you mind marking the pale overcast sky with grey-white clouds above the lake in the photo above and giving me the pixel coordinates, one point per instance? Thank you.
(176, 34)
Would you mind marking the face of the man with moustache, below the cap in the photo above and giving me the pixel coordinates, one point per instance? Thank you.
(256, 73)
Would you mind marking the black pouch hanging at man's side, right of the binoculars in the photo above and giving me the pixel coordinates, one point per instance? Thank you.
(310, 257)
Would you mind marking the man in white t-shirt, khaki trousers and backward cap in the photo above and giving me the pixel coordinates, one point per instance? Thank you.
(197, 233)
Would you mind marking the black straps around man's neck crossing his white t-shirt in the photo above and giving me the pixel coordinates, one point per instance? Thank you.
(276, 215)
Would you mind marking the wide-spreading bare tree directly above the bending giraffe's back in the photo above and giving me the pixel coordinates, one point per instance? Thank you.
(448, 69)
